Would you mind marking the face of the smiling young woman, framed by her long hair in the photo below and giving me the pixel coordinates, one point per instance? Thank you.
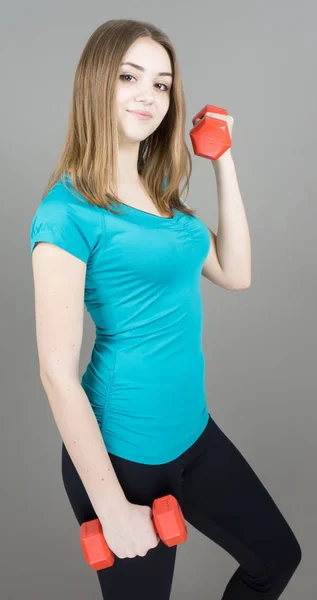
(143, 89)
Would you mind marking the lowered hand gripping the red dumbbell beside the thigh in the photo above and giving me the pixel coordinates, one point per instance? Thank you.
(130, 531)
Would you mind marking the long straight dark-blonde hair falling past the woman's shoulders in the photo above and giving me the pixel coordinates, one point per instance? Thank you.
(89, 155)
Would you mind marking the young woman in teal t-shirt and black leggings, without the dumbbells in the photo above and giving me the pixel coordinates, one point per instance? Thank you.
(119, 240)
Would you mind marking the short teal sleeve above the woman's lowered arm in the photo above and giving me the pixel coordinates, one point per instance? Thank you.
(65, 221)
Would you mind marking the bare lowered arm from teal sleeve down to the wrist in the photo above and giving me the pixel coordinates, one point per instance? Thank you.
(59, 280)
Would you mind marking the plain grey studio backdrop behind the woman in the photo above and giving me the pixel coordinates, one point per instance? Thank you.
(257, 59)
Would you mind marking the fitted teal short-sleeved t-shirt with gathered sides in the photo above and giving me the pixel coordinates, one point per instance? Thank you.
(146, 377)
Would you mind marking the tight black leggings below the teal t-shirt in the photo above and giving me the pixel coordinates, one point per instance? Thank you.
(222, 497)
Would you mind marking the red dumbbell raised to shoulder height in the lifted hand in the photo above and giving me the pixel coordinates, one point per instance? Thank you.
(210, 136)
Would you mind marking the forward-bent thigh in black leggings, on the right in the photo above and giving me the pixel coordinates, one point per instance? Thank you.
(224, 499)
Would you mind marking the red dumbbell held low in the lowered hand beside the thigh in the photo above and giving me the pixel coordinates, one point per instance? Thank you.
(168, 521)
